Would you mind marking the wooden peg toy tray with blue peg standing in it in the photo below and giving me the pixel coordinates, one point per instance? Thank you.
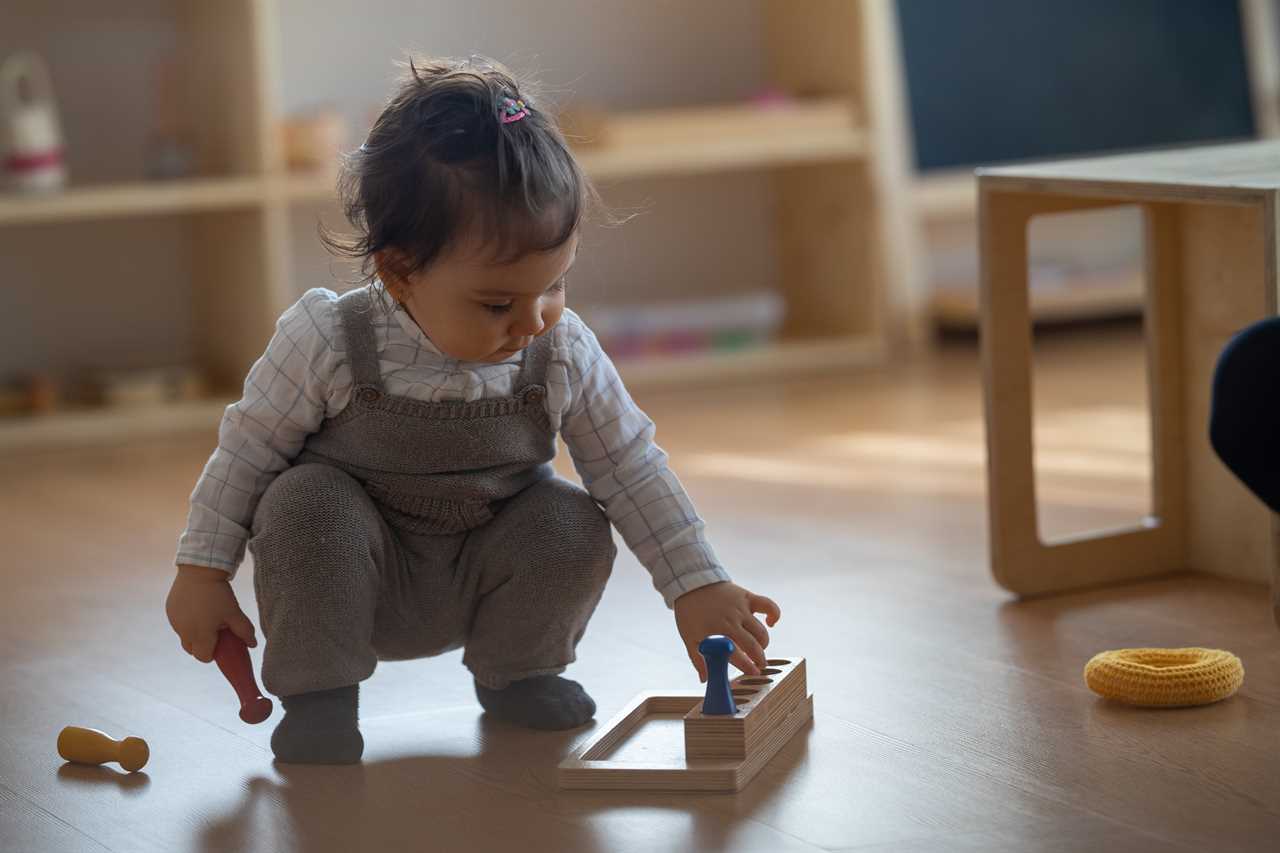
(723, 749)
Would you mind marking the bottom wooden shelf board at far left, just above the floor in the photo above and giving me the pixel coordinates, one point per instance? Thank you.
(109, 426)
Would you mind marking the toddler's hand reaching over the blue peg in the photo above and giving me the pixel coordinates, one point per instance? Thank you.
(726, 609)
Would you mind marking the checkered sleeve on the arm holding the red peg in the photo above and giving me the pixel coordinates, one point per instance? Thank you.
(286, 399)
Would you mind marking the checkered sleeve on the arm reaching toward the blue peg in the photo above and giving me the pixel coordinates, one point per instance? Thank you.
(612, 445)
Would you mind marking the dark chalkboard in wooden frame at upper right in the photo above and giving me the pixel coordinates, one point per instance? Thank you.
(991, 81)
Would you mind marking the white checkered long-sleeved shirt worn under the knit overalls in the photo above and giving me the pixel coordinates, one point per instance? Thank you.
(305, 377)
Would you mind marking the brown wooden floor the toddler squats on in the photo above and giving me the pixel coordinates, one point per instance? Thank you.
(948, 717)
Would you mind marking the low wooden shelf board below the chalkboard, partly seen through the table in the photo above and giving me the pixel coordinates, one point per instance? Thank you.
(1101, 299)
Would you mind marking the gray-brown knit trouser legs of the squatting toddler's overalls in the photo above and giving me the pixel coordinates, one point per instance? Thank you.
(340, 590)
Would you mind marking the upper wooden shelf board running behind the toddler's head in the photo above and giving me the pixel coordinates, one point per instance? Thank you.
(689, 142)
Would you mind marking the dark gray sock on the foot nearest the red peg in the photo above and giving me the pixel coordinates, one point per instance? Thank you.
(321, 728)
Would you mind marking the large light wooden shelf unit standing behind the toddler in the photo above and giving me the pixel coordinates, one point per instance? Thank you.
(830, 154)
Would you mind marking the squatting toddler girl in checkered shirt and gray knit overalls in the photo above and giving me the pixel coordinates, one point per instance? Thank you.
(390, 463)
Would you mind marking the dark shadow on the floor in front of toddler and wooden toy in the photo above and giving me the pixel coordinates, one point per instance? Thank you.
(504, 790)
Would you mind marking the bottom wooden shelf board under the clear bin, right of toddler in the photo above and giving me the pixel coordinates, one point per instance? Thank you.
(783, 359)
